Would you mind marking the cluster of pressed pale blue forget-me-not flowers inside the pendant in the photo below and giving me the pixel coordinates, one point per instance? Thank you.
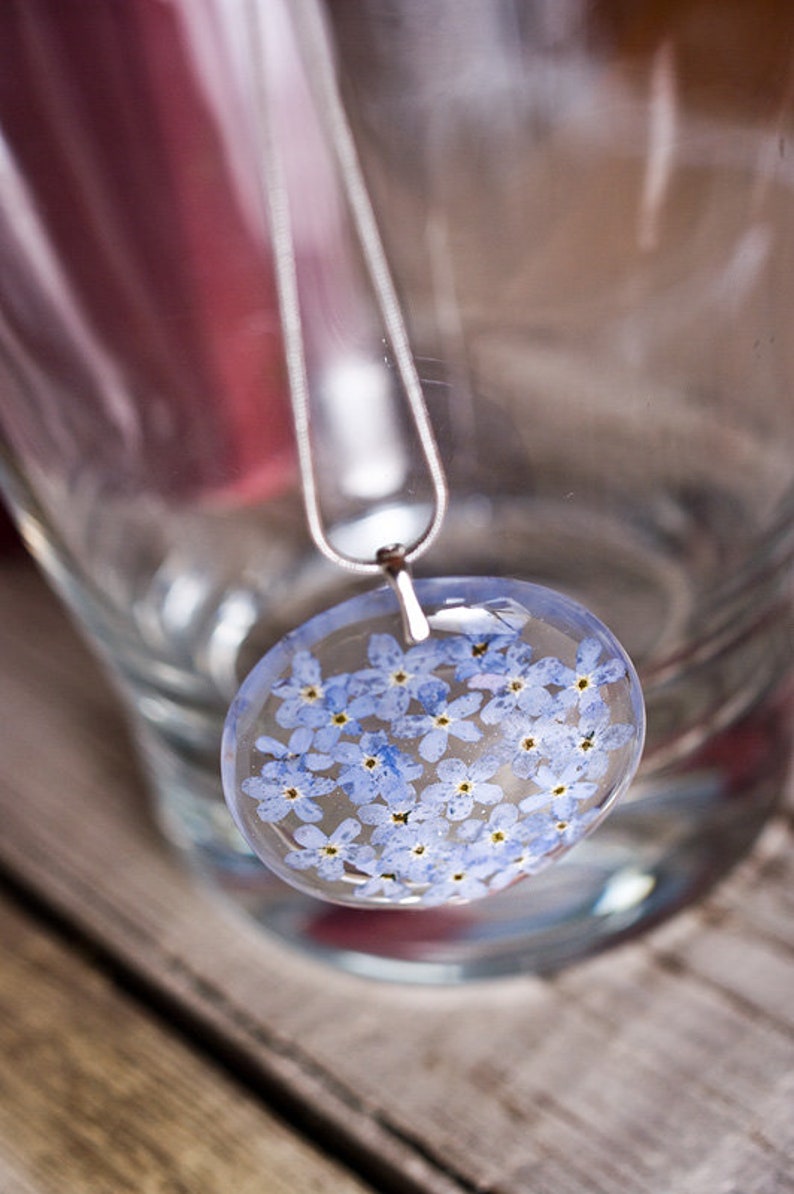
(438, 773)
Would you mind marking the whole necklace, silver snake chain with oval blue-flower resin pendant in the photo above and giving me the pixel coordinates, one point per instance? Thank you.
(416, 747)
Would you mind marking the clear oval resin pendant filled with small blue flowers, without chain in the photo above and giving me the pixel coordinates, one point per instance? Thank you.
(373, 774)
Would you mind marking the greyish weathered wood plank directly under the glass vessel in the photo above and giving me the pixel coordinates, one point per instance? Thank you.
(664, 1067)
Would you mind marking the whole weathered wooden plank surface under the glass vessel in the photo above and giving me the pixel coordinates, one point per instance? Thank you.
(663, 1068)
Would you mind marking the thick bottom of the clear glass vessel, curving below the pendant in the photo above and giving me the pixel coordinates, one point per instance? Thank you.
(669, 842)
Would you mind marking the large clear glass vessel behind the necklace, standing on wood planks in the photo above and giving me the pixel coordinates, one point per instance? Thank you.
(588, 218)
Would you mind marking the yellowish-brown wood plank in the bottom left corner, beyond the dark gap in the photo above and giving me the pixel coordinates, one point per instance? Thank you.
(97, 1099)
